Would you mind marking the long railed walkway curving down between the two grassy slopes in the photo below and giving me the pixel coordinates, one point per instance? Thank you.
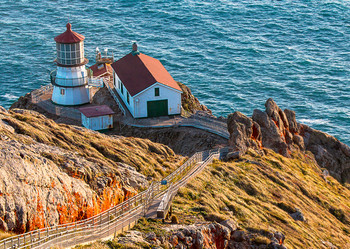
(55, 235)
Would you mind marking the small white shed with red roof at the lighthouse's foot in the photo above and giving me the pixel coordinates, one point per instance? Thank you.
(97, 117)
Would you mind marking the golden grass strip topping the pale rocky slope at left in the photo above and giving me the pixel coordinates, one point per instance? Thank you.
(151, 159)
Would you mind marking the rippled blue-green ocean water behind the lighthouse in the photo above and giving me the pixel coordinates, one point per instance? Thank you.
(232, 54)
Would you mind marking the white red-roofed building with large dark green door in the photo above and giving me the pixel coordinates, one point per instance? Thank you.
(145, 86)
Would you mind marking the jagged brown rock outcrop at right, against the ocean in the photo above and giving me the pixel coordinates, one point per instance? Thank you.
(278, 130)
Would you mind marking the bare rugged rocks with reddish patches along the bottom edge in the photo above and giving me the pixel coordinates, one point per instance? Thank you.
(211, 236)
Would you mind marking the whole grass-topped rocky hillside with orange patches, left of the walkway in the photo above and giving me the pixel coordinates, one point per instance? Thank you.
(55, 173)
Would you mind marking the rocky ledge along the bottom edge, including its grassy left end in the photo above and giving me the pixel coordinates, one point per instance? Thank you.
(212, 236)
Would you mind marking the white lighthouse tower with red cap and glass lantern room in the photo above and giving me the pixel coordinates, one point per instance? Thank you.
(70, 80)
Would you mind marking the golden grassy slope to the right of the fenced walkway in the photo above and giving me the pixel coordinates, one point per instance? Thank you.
(262, 192)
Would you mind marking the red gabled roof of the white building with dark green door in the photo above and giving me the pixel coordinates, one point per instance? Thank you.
(140, 71)
